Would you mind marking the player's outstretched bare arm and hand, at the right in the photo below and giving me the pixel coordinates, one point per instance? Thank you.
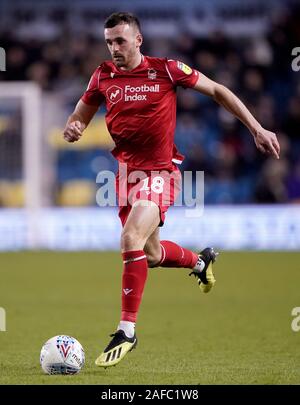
(266, 141)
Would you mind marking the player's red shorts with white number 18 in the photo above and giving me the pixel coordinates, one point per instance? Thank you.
(159, 186)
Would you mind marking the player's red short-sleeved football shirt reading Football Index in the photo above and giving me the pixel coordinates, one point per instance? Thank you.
(141, 109)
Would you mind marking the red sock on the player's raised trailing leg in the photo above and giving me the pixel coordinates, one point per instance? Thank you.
(173, 255)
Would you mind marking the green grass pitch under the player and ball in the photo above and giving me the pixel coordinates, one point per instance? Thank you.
(239, 333)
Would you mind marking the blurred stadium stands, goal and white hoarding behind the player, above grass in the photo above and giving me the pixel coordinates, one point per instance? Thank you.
(51, 51)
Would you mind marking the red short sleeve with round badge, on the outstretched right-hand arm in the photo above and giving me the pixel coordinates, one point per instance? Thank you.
(181, 74)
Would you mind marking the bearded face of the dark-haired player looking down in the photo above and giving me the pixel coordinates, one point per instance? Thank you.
(123, 42)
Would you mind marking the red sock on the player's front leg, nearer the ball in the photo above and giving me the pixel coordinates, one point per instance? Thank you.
(134, 278)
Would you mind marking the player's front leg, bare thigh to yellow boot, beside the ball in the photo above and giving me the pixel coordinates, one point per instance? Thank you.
(140, 224)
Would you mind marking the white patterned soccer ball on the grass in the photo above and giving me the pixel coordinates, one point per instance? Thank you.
(62, 355)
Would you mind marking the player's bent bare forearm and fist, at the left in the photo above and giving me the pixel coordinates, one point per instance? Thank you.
(78, 121)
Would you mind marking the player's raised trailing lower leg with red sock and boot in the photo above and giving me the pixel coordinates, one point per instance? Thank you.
(168, 254)
